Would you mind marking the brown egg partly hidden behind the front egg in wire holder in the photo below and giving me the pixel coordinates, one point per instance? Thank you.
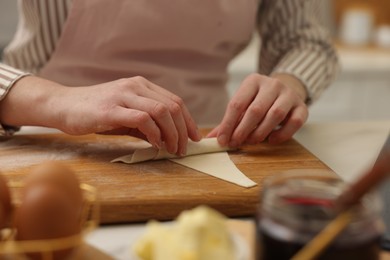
(59, 175)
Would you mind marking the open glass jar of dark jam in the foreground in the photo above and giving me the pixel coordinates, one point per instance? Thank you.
(295, 206)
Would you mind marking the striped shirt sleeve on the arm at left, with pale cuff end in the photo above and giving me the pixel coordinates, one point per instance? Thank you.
(39, 28)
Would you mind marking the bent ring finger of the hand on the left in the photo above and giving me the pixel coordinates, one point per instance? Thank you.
(160, 113)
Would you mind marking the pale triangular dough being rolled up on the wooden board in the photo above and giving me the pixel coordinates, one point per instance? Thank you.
(206, 156)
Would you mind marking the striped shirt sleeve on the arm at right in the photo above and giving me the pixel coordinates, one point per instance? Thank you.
(294, 42)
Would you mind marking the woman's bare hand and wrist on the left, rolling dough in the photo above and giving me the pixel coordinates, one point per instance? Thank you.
(132, 106)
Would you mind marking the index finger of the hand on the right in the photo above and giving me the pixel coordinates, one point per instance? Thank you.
(234, 112)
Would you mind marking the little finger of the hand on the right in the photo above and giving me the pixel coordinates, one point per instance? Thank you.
(293, 123)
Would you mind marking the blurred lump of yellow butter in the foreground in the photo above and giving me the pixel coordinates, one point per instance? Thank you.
(197, 234)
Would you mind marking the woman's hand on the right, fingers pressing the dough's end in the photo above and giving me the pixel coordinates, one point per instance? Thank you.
(263, 107)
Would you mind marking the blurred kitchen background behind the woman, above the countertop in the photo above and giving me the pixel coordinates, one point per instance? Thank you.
(361, 32)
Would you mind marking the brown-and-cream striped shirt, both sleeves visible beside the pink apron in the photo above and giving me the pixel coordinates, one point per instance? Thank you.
(292, 42)
